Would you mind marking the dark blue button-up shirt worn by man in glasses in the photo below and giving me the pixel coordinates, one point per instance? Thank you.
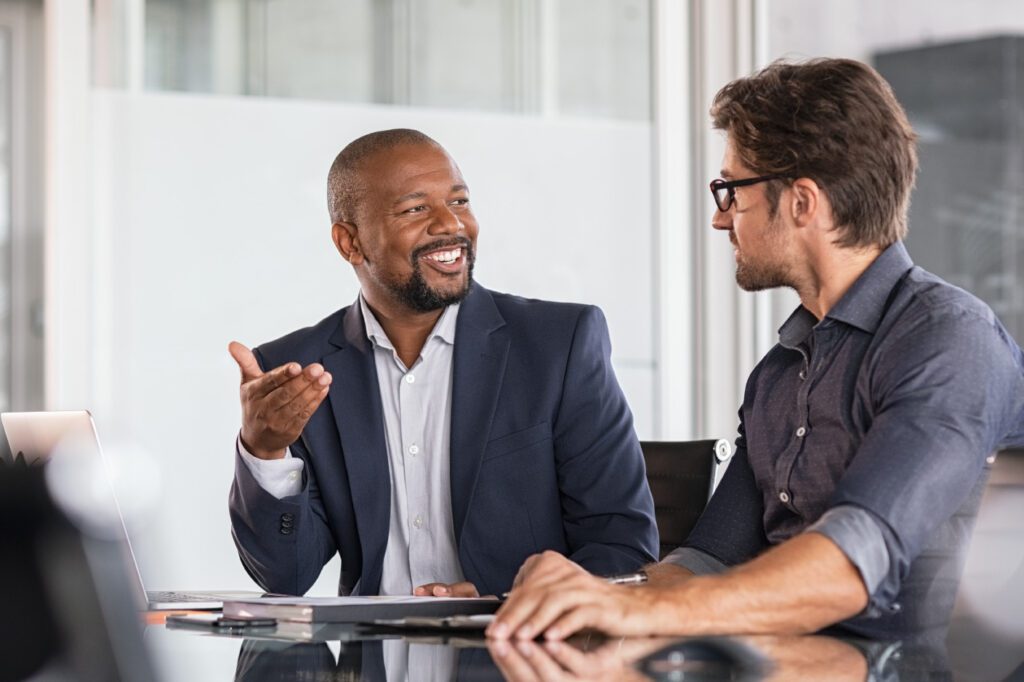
(882, 415)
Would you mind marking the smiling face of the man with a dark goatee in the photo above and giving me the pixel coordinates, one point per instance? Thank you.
(414, 240)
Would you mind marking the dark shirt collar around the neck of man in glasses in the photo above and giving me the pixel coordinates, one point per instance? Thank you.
(863, 306)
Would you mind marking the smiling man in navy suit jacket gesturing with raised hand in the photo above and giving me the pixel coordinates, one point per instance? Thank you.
(435, 434)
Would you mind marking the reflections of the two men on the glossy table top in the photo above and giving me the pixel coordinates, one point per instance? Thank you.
(355, 654)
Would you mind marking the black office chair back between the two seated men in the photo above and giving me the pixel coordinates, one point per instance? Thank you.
(681, 476)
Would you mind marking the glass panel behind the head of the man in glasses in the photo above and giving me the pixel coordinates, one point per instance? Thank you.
(959, 71)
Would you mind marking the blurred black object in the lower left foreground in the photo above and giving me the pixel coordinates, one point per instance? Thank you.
(66, 613)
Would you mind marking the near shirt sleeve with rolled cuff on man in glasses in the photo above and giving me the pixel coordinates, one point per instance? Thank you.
(948, 389)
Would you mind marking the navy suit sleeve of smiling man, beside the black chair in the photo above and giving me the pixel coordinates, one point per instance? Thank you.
(608, 510)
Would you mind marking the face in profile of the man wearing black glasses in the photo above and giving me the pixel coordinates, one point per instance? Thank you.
(760, 239)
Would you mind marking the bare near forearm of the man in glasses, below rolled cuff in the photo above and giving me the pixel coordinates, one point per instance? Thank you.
(799, 587)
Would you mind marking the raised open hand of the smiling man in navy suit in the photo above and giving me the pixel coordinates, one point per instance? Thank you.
(277, 405)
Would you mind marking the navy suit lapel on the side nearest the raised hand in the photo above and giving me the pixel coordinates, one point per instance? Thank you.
(356, 404)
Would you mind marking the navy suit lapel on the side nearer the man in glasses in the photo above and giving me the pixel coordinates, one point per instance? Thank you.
(482, 347)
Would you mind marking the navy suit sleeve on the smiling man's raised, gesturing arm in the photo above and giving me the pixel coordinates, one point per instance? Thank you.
(285, 543)
